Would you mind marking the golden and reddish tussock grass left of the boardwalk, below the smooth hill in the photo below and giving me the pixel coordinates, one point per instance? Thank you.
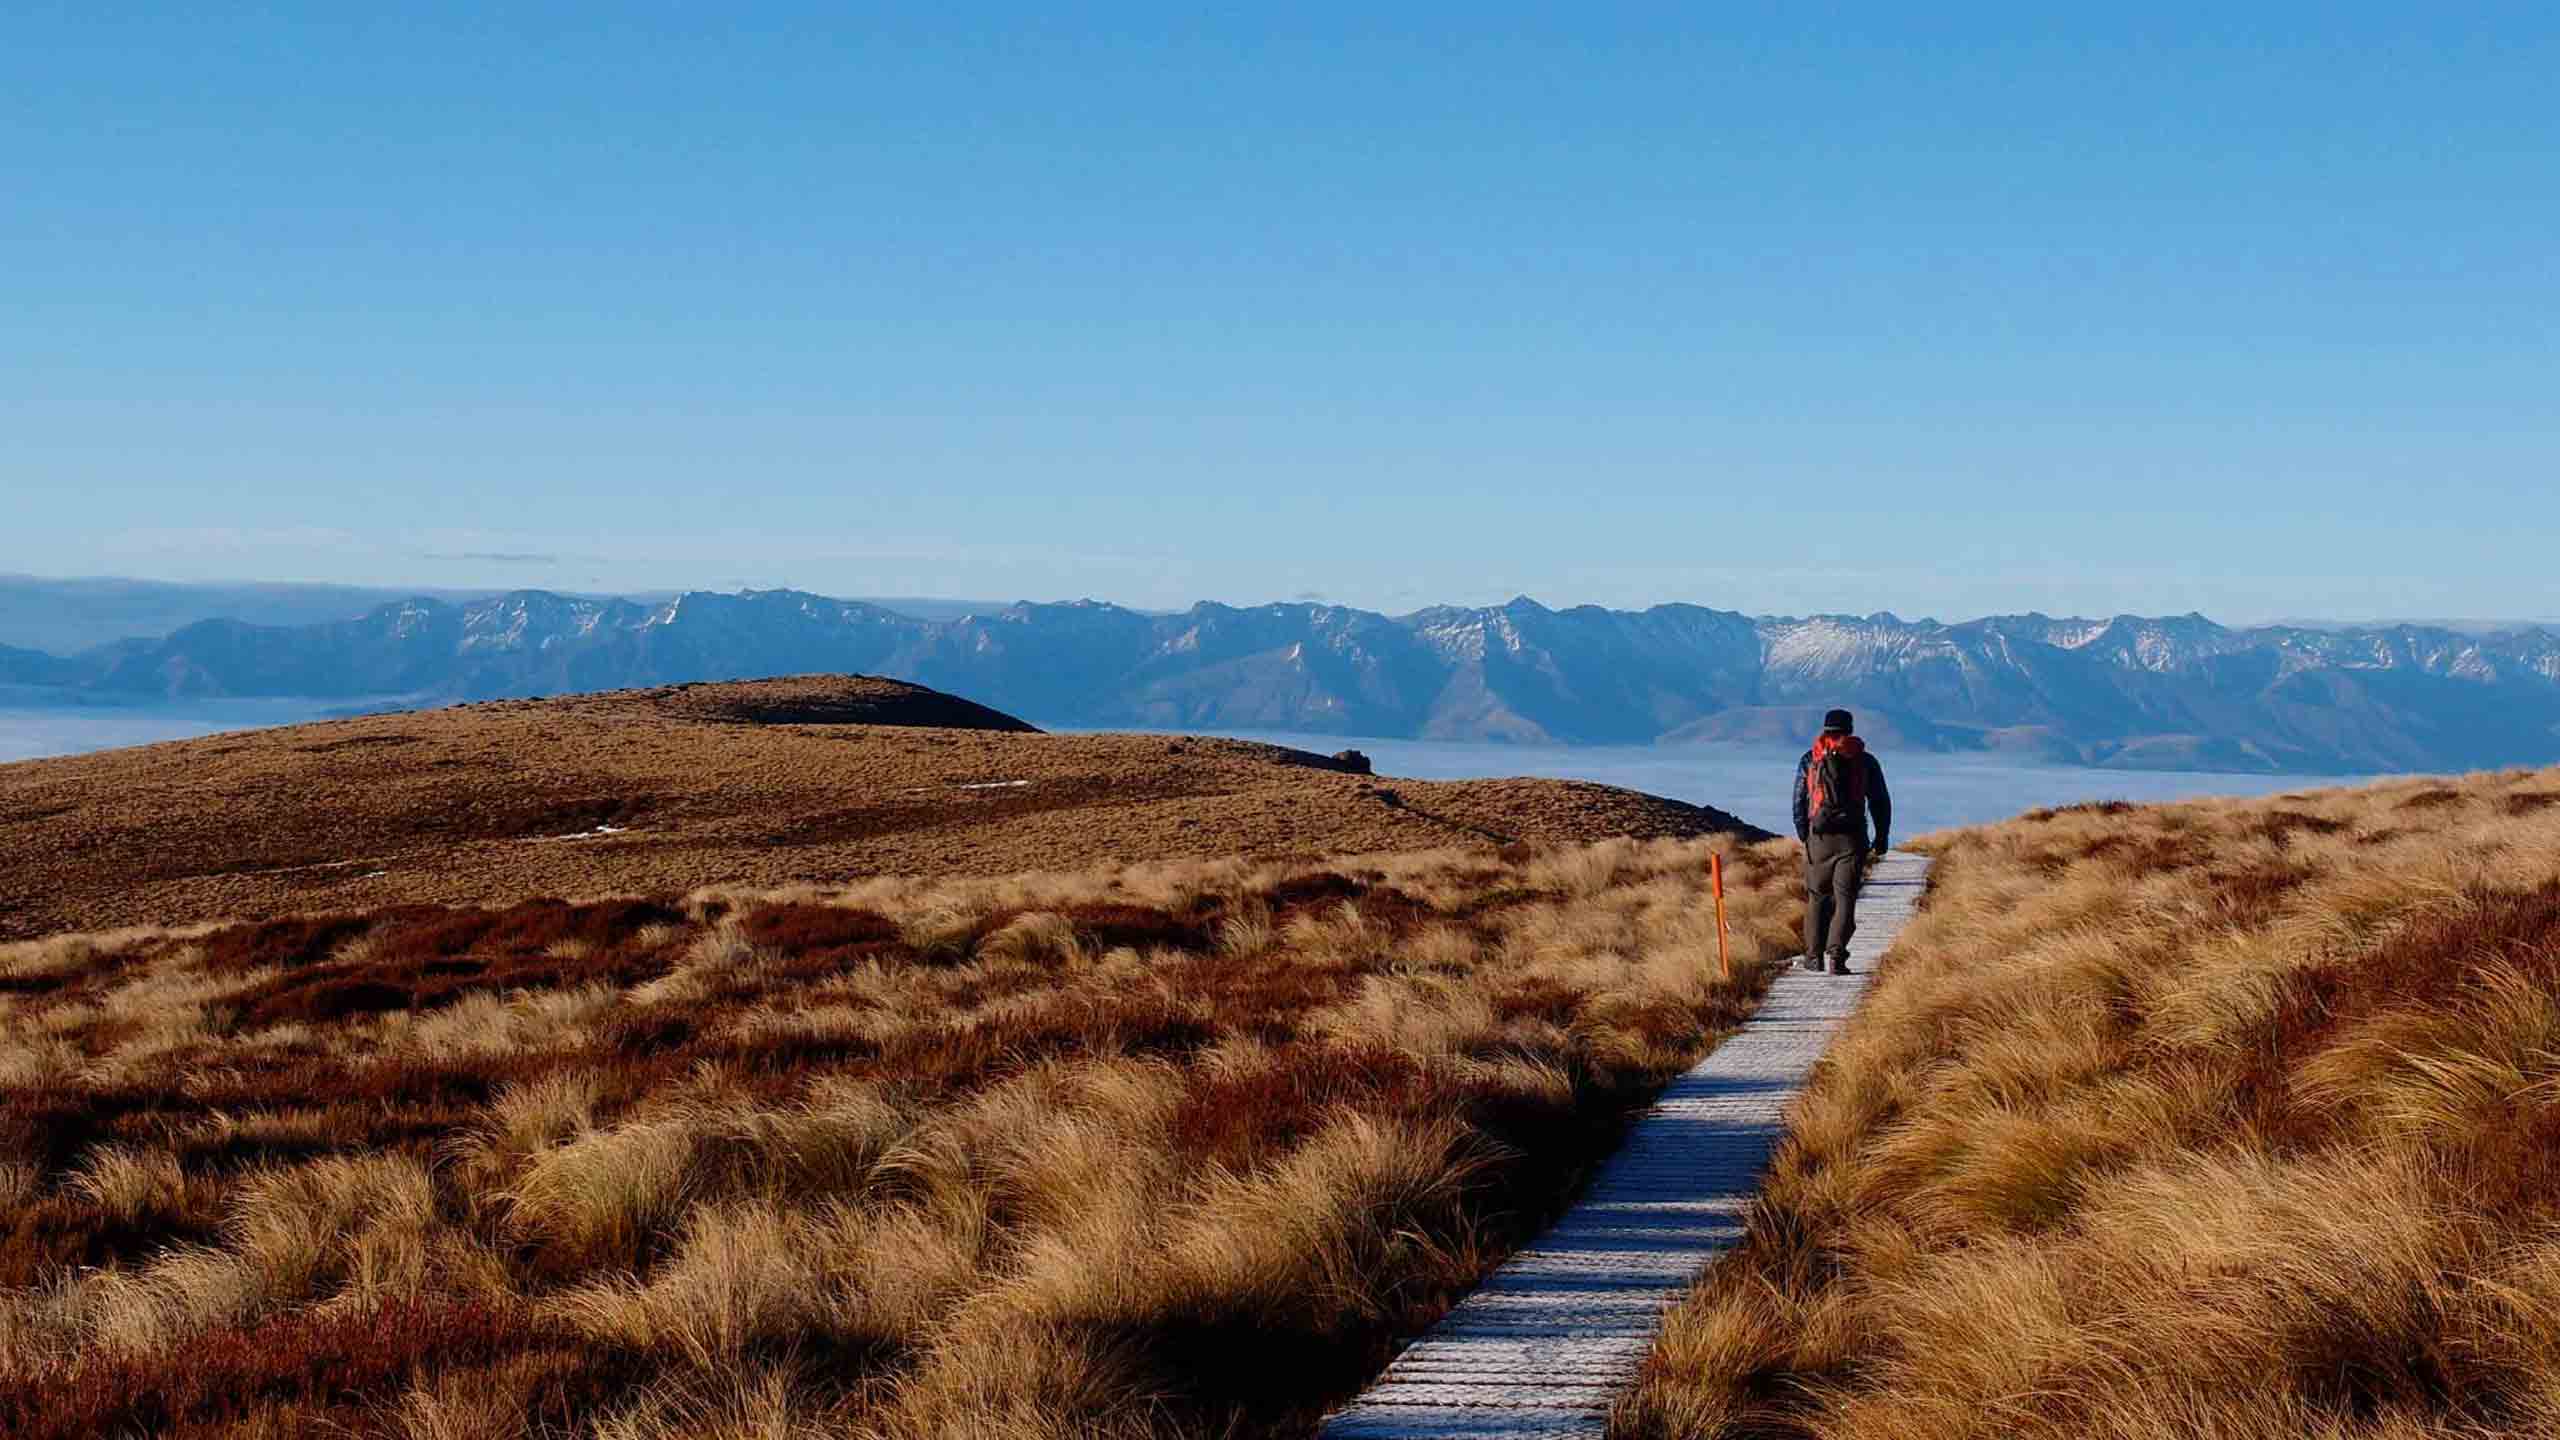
(1140, 1152)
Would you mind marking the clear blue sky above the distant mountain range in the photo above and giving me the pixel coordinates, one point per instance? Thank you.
(1937, 309)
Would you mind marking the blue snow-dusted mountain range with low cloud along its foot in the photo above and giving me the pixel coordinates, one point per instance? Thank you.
(2152, 693)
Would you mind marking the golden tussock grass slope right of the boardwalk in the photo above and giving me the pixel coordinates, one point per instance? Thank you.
(2228, 1121)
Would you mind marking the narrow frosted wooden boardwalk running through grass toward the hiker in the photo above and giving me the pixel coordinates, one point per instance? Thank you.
(1555, 1336)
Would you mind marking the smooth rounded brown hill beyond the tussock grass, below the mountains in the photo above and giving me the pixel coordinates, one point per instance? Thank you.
(667, 790)
